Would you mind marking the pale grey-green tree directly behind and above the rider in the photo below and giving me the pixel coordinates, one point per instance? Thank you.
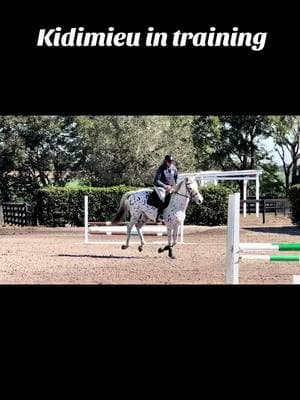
(128, 149)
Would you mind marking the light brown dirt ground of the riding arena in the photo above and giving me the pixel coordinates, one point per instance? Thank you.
(59, 256)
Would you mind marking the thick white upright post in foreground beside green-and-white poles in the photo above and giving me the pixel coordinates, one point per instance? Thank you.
(233, 240)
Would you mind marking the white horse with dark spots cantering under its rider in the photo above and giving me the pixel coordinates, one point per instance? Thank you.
(136, 203)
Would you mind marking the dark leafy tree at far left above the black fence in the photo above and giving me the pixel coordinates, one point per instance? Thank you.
(35, 151)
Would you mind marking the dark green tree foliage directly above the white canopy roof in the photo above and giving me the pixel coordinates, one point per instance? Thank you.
(230, 142)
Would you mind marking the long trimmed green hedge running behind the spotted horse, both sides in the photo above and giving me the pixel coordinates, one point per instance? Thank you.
(61, 206)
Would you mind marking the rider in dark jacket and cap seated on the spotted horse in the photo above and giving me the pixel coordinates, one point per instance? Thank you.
(164, 181)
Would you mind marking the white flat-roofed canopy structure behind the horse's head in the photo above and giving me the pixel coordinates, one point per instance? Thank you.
(205, 177)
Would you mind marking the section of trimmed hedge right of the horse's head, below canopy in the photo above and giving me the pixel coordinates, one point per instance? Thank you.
(213, 210)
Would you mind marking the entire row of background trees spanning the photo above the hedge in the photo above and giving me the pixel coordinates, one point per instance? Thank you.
(43, 151)
